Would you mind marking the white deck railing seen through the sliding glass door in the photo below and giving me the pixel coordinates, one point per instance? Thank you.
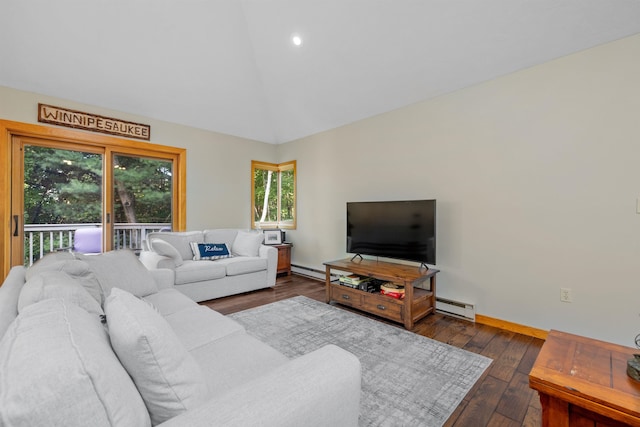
(41, 239)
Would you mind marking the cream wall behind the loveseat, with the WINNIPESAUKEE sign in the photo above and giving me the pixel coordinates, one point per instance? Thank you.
(218, 166)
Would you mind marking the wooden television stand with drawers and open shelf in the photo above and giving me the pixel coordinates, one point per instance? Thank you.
(417, 302)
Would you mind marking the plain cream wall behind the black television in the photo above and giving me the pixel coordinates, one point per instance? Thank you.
(536, 176)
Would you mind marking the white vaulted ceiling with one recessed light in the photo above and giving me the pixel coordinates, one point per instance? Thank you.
(230, 66)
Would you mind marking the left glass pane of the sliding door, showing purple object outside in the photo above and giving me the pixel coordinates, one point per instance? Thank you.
(62, 201)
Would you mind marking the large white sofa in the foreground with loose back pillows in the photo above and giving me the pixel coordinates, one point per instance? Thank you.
(102, 341)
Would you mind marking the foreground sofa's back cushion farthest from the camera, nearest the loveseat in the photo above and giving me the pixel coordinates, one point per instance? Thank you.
(121, 269)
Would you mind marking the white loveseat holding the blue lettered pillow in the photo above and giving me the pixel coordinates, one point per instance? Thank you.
(251, 266)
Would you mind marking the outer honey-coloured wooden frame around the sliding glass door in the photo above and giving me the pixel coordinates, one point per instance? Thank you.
(9, 129)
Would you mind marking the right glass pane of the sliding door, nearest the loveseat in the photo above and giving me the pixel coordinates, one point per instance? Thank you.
(142, 199)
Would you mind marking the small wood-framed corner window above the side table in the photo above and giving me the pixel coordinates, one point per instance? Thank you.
(273, 195)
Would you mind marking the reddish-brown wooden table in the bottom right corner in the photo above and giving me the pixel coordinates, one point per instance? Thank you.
(584, 382)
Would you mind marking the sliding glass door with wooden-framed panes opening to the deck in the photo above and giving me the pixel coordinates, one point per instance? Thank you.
(88, 198)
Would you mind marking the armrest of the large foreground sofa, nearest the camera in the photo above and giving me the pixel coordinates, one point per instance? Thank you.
(319, 389)
